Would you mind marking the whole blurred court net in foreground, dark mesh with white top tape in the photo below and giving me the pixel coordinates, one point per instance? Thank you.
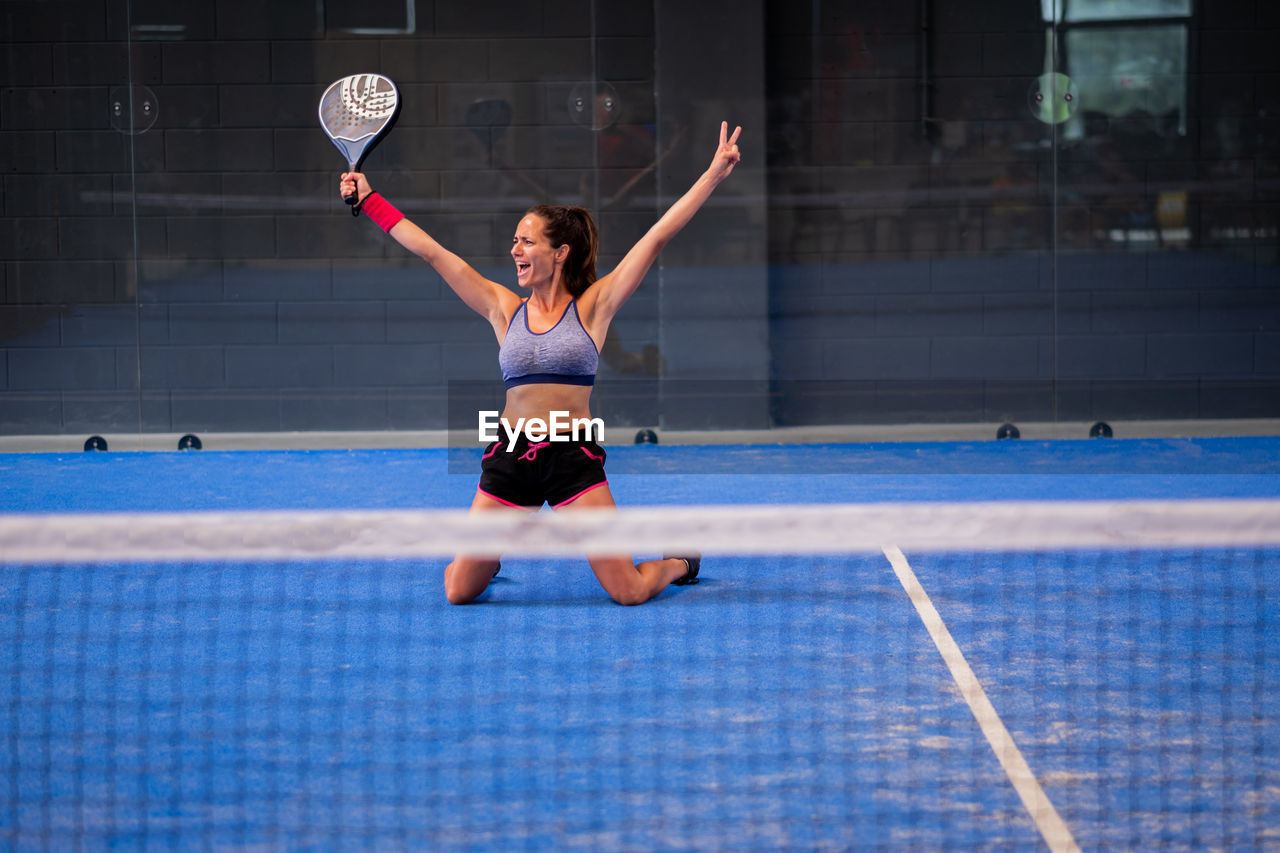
(874, 677)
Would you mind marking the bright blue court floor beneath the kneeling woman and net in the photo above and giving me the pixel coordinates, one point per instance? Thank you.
(785, 703)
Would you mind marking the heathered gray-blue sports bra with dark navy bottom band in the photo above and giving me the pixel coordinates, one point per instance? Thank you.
(564, 355)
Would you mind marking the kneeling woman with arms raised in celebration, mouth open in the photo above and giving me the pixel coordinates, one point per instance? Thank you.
(550, 343)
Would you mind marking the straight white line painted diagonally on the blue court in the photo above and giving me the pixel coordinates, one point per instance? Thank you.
(1057, 834)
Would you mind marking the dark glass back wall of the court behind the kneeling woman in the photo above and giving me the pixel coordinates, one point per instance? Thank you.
(1046, 212)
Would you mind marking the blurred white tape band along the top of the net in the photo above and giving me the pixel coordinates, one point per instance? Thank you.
(757, 530)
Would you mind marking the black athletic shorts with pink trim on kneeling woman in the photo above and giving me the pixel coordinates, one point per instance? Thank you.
(533, 475)
